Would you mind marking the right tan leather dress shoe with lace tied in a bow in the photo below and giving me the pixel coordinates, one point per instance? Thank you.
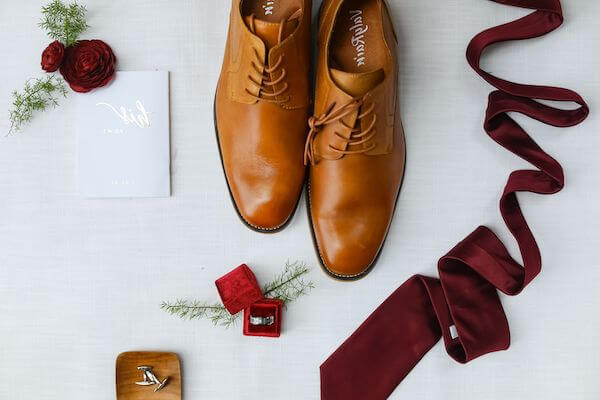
(356, 142)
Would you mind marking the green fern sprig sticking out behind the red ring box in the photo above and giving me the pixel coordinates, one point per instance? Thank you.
(287, 287)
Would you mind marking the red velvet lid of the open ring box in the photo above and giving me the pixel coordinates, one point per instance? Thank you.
(238, 289)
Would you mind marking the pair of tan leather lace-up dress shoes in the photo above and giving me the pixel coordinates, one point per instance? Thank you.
(353, 144)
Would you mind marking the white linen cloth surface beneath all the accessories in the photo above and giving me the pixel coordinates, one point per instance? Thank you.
(82, 280)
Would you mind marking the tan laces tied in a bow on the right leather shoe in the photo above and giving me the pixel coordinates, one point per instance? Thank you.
(357, 135)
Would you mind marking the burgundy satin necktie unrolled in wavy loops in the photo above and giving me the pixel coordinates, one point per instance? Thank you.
(383, 350)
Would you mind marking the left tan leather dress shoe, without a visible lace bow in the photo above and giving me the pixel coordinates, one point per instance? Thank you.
(261, 107)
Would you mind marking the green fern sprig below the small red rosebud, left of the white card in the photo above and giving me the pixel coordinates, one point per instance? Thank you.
(37, 95)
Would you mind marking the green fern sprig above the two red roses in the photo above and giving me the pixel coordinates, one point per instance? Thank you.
(64, 22)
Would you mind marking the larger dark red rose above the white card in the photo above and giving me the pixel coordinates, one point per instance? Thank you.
(88, 64)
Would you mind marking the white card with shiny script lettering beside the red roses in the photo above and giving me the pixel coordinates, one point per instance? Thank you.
(124, 144)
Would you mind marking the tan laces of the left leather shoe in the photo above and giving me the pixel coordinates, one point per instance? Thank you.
(266, 85)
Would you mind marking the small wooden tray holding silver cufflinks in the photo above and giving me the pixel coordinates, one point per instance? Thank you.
(164, 364)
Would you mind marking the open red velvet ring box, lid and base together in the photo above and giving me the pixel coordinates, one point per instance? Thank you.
(239, 291)
